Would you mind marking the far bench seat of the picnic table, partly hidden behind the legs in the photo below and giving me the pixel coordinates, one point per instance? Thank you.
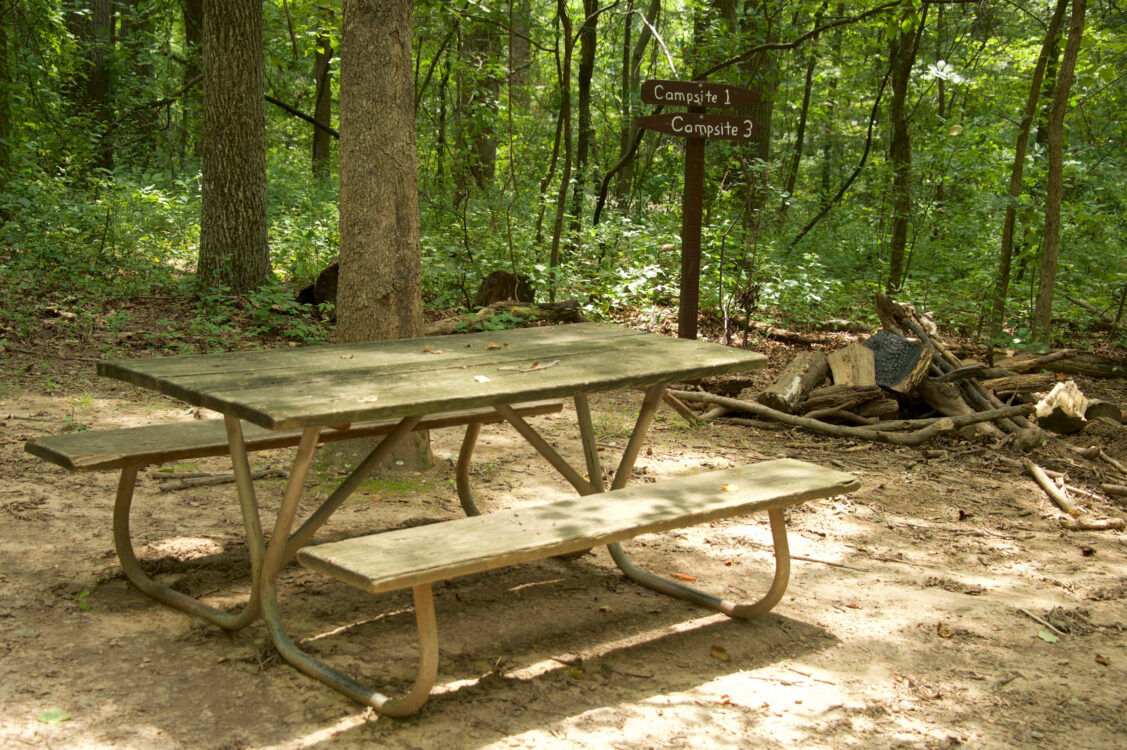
(100, 451)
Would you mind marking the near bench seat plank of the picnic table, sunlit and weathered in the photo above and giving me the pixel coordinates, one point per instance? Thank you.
(407, 558)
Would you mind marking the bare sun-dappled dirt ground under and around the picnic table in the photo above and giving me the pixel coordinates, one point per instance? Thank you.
(916, 617)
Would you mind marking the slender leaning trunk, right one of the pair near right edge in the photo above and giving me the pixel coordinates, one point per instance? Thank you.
(1054, 192)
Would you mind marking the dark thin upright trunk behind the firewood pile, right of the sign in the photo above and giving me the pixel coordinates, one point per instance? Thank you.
(903, 55)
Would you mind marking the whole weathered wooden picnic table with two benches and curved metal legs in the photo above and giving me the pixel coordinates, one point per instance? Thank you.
(306, 396)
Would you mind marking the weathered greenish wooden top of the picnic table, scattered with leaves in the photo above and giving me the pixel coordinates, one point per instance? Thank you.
(285, 390)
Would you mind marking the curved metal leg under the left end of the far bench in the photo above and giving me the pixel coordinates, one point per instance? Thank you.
(123, 544)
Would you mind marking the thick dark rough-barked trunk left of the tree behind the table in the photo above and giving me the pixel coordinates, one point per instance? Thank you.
(234, 249)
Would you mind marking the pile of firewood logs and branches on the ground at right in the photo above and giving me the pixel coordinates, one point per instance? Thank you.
(874, 391)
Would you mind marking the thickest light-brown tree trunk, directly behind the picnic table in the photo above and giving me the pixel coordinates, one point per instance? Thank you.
(380, 290)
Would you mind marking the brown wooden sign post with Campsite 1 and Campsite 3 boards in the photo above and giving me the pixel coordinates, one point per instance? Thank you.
(696, 127)
